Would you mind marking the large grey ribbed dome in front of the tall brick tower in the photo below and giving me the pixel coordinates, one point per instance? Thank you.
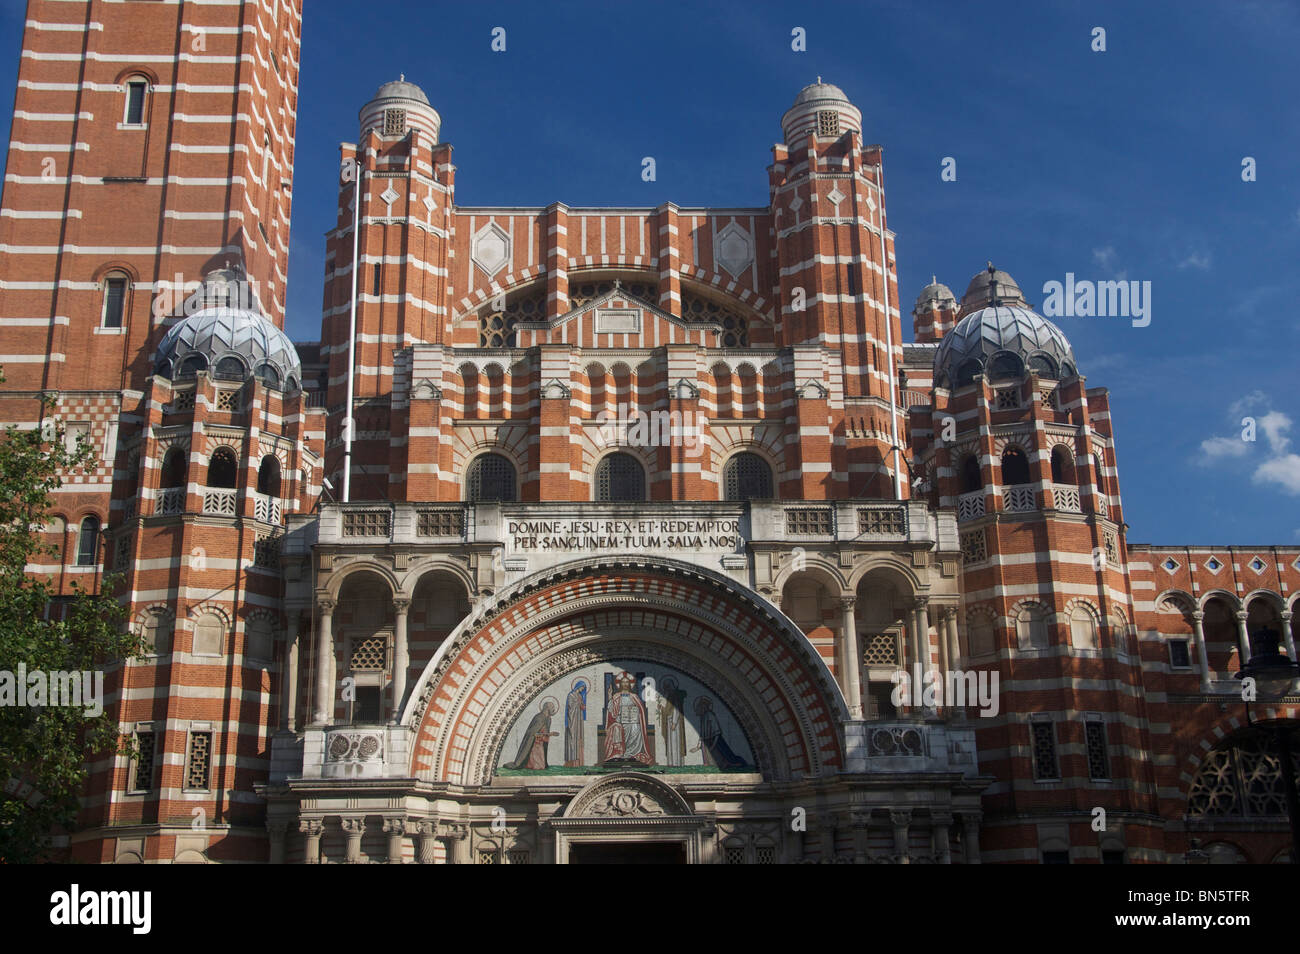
(232, 342)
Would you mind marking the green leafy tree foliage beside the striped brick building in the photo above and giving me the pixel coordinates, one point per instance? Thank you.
(45, 749)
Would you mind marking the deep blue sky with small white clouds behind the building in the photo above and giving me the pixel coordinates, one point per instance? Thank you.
(1125, 163)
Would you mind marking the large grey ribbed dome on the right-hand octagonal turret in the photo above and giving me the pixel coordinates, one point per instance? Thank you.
(1003, 342)
